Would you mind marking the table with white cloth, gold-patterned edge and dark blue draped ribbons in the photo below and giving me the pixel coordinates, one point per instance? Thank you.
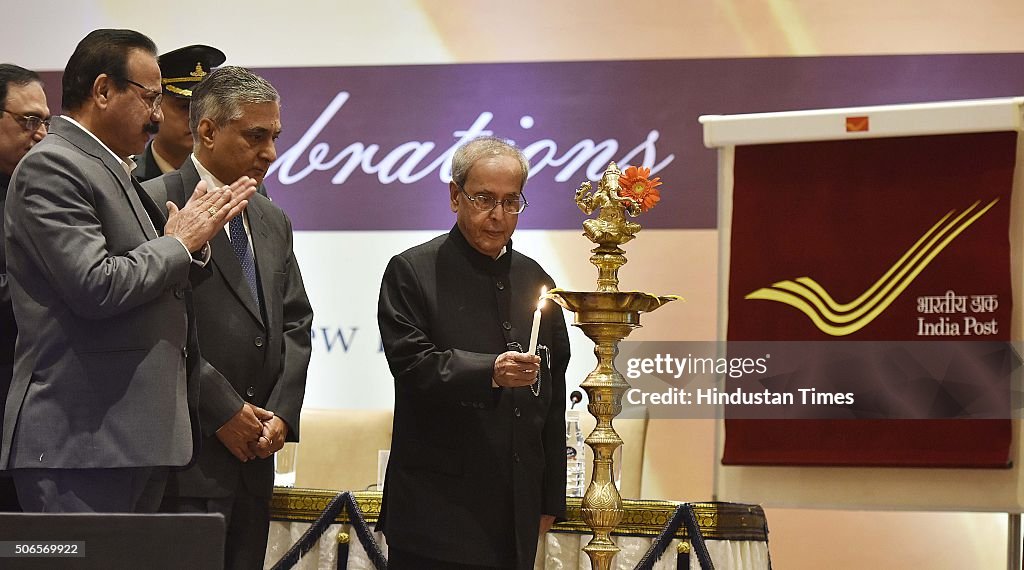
(737, 536)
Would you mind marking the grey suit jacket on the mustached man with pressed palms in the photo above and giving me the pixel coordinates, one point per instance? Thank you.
(100, 372)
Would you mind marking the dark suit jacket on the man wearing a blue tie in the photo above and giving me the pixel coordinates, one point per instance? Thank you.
(261, 354)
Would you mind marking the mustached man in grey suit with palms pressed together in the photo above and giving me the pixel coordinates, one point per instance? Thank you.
(99, 409)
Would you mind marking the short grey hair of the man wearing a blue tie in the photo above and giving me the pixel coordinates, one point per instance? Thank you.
(221, 97)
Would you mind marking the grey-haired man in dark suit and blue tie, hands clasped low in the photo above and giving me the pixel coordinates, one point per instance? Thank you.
(253, 318)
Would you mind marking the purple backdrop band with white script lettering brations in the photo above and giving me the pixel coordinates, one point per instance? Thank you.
(368, 148)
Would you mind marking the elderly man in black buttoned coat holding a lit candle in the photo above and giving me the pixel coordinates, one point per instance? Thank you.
(478, 466)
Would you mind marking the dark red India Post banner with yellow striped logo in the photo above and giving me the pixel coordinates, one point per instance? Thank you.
(874, 240)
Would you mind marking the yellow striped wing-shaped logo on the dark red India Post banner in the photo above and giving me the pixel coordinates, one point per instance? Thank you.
(839, 320)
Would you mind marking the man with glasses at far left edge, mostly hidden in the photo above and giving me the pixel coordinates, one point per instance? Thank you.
(24, 120)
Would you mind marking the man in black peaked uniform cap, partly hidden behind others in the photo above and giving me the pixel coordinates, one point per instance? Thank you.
(182, 70)
